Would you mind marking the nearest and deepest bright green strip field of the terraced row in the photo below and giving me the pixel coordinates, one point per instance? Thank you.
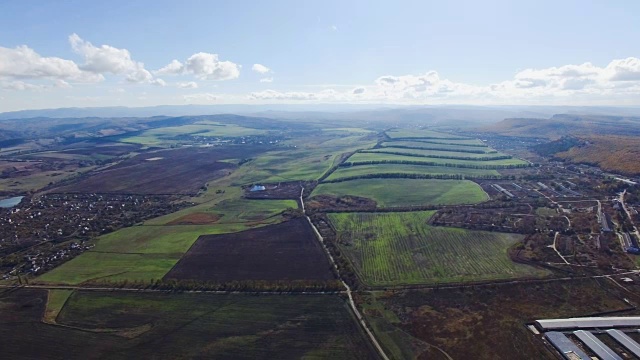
(407, 192)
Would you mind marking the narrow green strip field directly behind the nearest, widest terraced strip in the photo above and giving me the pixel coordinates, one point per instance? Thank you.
(344, 172)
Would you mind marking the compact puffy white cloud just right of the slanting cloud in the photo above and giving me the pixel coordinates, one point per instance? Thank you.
(204, 66)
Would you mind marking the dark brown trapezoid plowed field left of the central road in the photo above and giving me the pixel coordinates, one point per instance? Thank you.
(286, 251)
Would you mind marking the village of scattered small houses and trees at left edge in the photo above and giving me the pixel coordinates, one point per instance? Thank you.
(41, 233)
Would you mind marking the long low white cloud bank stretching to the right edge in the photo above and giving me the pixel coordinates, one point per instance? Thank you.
(584, 83)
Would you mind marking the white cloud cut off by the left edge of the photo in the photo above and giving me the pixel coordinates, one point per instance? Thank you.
(24, 63)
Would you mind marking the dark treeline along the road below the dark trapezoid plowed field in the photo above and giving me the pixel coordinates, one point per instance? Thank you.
(179, 285)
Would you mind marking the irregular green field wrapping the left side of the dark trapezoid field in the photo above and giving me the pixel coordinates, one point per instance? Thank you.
(148, 252)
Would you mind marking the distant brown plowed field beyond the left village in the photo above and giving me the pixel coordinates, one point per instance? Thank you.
(181, 171)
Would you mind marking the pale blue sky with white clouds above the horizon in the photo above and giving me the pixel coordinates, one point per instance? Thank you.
(142, 53)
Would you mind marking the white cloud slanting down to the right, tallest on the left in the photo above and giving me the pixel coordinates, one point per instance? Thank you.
(108, 59)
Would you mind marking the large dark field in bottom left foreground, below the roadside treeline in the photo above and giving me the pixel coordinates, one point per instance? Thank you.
(147, 325)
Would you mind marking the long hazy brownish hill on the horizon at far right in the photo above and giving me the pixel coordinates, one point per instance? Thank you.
(567, 124)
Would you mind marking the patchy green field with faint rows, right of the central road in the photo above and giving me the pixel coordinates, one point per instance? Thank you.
(400, 248)
